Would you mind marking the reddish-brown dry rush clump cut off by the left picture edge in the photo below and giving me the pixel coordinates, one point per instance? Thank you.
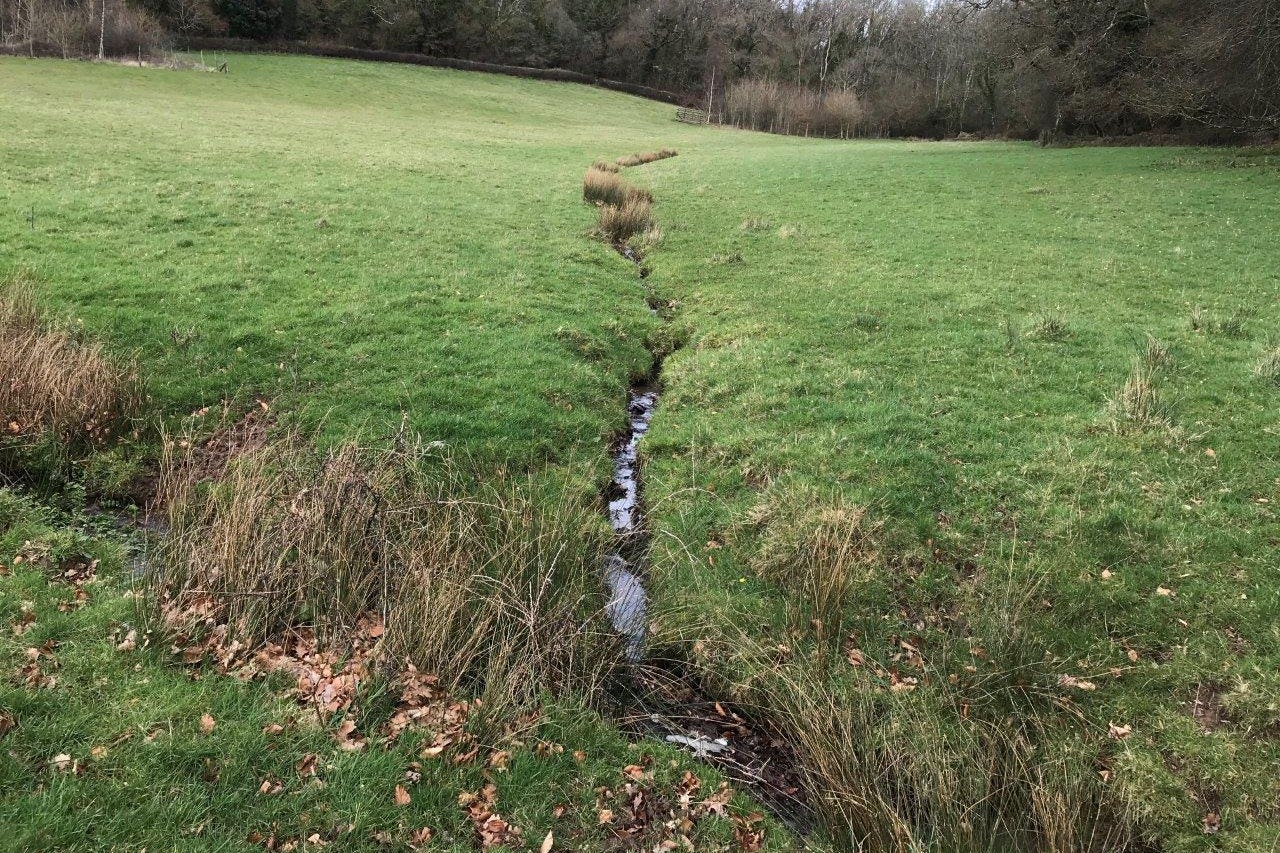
(54, 385)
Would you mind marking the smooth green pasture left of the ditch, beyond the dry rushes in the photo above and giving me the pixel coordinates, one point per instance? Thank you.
(359, 240)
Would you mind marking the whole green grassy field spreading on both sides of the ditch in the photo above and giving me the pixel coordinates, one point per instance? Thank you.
(973, 443)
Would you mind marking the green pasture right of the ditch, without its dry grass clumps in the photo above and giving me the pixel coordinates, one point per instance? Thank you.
(861, 346)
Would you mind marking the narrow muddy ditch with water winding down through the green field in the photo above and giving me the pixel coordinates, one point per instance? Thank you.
(662, 697)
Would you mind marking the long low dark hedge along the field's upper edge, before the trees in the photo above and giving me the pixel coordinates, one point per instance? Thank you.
(341, 52)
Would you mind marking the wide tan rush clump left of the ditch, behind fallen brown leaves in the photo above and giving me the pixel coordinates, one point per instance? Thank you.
(490, 582)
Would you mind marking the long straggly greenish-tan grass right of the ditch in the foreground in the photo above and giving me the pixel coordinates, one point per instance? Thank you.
(911, 750)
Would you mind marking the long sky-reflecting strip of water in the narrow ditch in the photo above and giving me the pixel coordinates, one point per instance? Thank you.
(628, 600)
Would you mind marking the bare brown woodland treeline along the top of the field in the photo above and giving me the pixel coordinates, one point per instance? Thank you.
(1204, 69)
